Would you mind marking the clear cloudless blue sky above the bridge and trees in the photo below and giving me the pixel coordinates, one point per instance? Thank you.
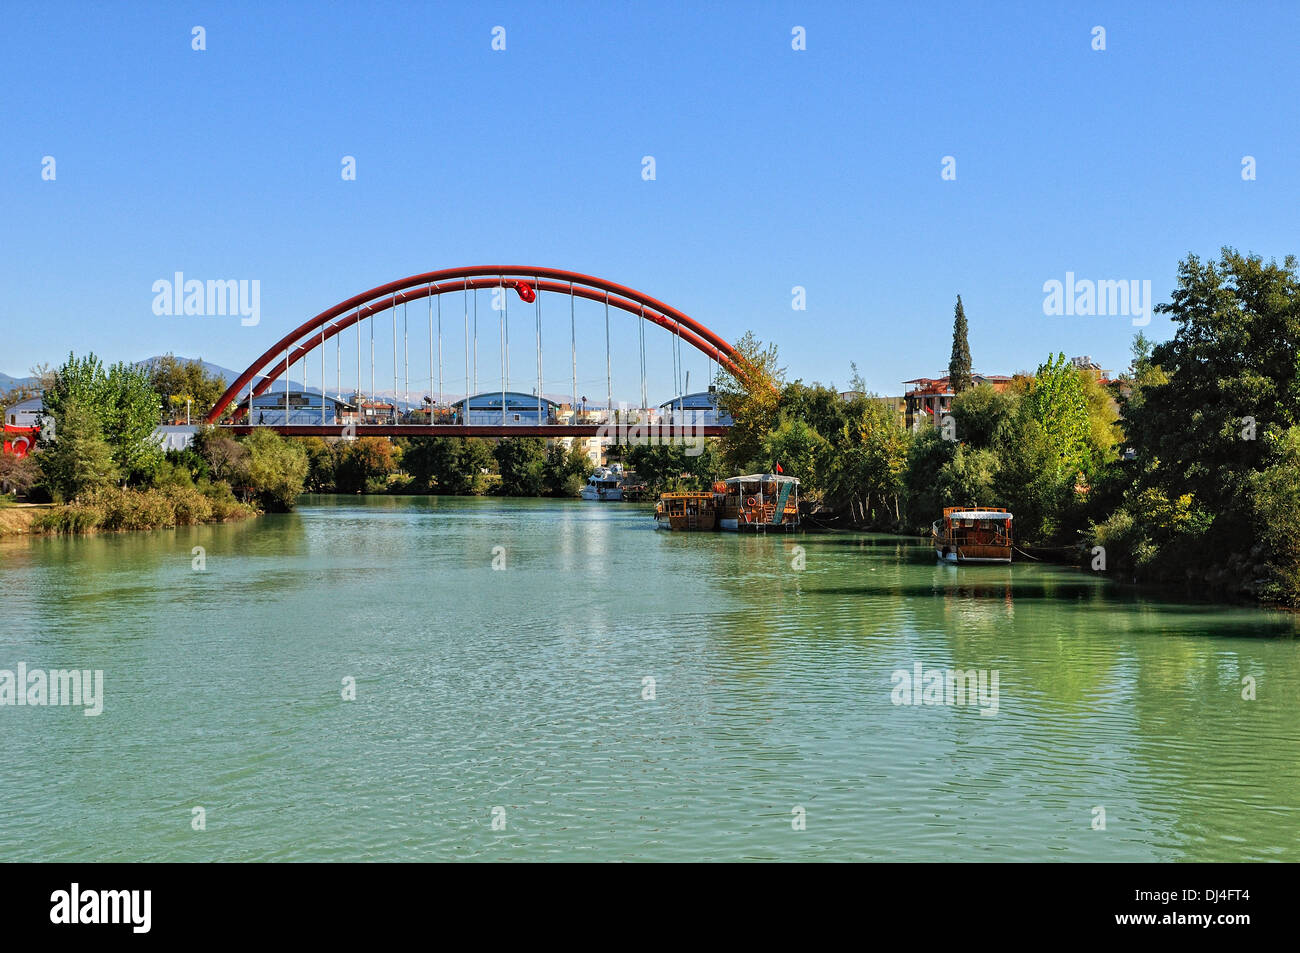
(774, 168)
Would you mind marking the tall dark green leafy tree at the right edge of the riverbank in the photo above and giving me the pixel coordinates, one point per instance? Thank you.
(1211, 422)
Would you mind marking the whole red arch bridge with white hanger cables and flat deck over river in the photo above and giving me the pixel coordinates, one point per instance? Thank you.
(376, 406)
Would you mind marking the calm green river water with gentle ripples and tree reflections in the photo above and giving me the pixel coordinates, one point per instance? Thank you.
(521, 696)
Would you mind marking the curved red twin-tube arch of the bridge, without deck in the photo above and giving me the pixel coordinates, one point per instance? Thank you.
(522, 280)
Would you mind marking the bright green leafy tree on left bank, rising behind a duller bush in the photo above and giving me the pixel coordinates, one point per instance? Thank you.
(124, 404)
